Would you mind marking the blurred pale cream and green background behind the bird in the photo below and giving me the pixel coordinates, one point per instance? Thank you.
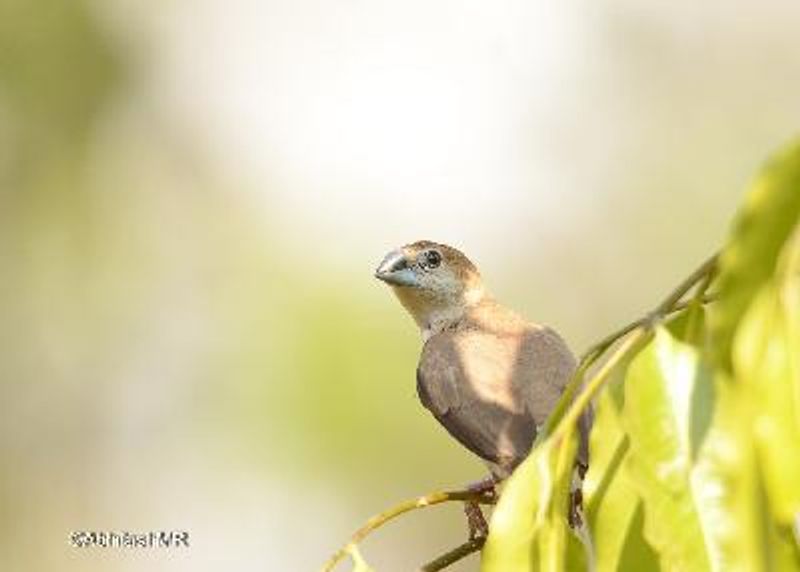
(194, 195)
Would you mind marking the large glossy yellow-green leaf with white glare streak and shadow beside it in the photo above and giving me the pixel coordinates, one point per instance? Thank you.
(693, 462)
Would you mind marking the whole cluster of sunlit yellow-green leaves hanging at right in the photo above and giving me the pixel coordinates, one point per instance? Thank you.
(695, 450)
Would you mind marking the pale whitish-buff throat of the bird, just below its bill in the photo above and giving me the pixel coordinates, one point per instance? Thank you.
(434, 315)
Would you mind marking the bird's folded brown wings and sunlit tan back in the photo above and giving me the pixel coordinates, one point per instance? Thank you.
(491, 391)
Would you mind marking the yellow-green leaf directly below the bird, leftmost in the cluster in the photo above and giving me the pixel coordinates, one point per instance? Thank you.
(529, 529)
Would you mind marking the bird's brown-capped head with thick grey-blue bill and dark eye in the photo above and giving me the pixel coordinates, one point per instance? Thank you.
(436, 283)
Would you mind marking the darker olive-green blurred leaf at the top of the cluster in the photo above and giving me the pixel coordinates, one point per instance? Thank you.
(770, 212)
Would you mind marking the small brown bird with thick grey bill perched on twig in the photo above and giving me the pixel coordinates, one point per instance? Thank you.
(488, 376)
